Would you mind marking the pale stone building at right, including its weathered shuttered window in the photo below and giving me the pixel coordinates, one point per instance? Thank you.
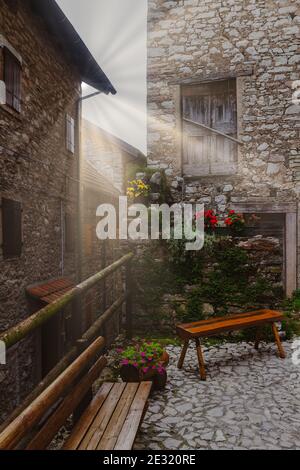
(223, 121)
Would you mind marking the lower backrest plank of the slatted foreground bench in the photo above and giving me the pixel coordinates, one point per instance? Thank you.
(54, 423)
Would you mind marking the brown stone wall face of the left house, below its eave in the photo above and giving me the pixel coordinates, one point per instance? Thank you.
(34, 164)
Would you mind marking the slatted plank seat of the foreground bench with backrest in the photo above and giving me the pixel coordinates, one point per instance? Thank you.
(112, 419)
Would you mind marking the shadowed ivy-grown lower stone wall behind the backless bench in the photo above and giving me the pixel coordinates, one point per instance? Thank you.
(163, 291)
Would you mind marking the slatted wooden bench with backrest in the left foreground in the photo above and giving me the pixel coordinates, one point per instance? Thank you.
(110, 421)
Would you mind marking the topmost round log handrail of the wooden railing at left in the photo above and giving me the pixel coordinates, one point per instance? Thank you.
(20, 331)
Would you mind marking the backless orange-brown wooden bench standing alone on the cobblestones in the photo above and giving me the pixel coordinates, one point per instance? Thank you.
(219, 325)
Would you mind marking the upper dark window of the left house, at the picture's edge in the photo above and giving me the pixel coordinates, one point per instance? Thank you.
(12, 79)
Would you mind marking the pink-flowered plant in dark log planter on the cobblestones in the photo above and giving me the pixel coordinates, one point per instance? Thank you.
(143, 362)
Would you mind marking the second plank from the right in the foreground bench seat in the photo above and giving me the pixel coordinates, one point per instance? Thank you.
(115, 425)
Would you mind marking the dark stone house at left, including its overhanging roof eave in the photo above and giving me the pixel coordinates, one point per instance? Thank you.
(42, 64)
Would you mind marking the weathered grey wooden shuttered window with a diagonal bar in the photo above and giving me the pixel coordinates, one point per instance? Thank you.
(209, 113)
